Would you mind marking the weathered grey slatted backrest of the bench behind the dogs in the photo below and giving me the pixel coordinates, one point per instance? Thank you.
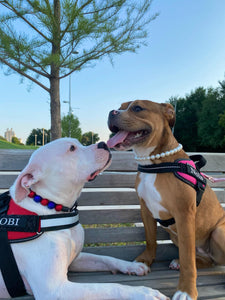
(109, 207)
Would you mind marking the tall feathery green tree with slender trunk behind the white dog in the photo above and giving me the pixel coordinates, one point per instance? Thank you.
(46, 41)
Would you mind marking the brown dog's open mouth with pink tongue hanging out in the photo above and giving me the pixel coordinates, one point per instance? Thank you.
(124, 139)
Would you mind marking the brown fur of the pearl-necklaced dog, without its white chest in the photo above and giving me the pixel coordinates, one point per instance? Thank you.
(202, 226)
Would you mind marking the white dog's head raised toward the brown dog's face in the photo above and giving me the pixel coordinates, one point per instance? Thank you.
(60, 169)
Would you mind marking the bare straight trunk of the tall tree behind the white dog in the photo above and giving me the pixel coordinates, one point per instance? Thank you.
(54, 80)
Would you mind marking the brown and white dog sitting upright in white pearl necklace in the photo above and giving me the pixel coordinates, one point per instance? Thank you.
(199, 232)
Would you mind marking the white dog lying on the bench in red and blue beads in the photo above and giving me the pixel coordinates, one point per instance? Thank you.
(57, 172)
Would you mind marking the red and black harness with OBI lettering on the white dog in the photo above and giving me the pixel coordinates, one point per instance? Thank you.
(16, 225)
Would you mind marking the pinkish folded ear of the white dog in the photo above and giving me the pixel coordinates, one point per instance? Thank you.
(29, 176)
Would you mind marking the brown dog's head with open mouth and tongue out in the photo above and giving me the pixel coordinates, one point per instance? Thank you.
(140, 123)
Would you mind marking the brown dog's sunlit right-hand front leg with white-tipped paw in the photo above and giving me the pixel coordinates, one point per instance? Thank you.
(185, 223)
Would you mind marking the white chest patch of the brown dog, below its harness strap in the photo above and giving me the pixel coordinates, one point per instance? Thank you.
(148, 192)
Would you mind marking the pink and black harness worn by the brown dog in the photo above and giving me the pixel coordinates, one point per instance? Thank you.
(180, 168)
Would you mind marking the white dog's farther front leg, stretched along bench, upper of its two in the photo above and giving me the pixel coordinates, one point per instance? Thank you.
(87, 262)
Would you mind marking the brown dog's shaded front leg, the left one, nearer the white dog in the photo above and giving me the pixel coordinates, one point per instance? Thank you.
(150, 226)
